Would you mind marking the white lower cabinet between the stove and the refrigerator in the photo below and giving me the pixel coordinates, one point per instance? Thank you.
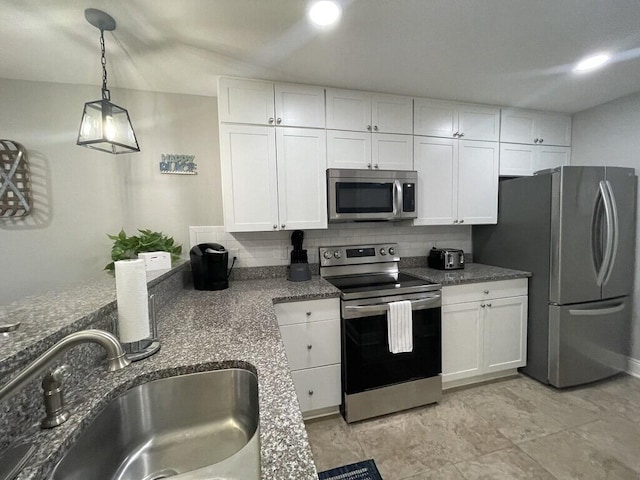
(484, 330)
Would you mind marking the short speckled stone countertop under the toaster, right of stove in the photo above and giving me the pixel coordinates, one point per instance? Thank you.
(471, 273)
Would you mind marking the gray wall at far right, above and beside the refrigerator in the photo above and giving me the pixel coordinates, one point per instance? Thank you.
(609, 134)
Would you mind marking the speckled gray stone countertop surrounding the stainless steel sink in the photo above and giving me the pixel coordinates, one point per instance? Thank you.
(203, 331)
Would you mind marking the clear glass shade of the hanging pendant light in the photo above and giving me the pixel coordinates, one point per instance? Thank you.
(107, 127)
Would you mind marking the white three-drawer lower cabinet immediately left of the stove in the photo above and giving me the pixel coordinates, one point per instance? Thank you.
(311, 335)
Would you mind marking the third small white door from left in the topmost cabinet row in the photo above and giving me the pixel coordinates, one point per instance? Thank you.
(348, 110)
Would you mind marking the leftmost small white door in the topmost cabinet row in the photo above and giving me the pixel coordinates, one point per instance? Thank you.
(245, 101)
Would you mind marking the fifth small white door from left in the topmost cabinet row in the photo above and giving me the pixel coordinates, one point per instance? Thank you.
(435, 118)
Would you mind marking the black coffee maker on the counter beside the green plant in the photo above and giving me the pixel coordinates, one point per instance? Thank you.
(209, 266)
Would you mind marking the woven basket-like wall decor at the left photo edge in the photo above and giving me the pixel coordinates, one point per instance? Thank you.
(15, 181)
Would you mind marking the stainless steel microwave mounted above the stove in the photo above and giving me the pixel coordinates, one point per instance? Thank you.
(371, 195)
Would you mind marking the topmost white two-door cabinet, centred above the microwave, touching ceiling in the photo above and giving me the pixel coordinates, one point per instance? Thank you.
(365, 112)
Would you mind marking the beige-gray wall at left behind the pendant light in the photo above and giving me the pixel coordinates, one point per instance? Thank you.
(81, 195)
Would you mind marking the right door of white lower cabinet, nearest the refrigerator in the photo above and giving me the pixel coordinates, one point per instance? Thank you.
(505, 333)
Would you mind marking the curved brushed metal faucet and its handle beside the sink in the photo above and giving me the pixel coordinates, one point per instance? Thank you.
(52, 383)
